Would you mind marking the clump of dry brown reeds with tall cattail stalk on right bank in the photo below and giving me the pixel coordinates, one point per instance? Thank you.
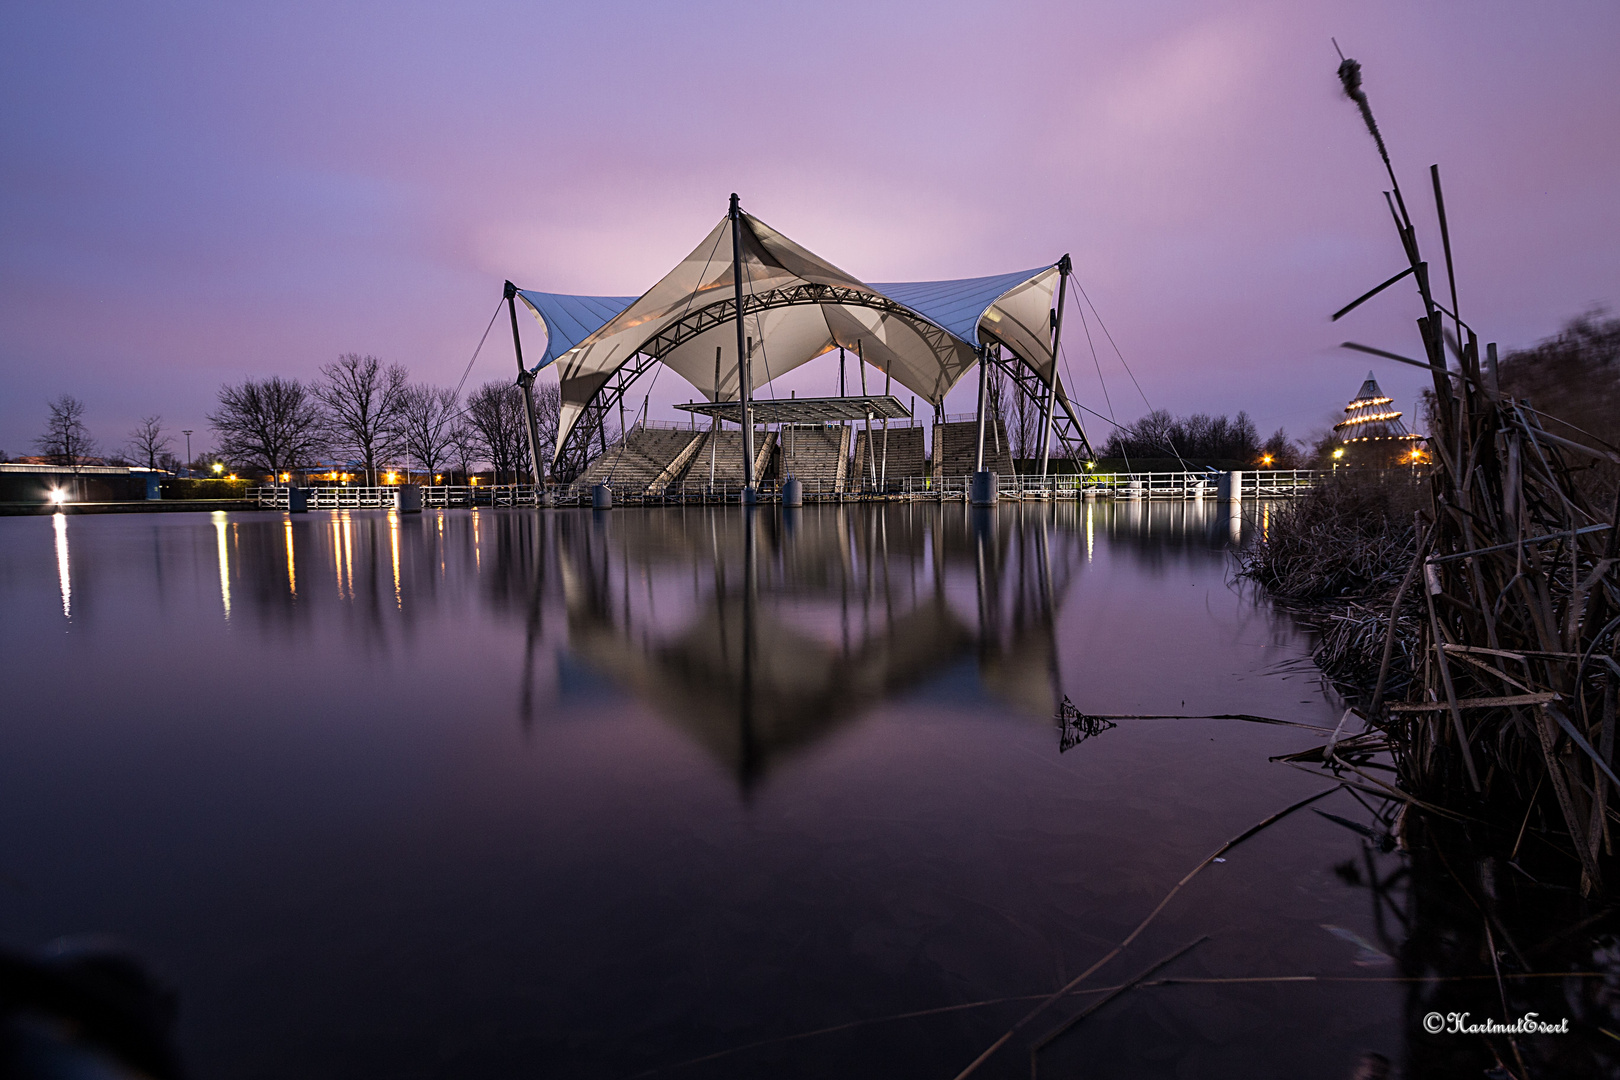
(1522, 602)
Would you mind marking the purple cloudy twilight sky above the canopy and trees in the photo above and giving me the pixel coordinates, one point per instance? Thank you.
(200, 193)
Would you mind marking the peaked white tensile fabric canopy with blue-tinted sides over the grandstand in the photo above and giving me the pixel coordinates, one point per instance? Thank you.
(796, 308)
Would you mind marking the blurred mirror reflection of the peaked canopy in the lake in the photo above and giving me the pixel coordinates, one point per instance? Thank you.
(790, 632)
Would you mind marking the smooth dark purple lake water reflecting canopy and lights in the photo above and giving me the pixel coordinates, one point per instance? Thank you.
(675, 793)
